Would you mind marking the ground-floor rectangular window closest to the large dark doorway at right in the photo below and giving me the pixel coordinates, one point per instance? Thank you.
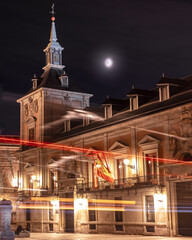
(149, 208)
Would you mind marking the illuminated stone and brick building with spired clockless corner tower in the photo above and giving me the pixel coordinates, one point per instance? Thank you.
(147, 134)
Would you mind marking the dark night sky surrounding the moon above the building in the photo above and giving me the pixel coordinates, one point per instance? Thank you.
(145, 38)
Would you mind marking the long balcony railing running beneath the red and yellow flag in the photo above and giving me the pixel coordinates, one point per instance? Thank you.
(133, 182)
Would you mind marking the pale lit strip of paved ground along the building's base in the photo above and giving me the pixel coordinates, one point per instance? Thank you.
(67, 236)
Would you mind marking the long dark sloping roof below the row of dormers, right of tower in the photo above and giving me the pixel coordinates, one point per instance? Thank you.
(145, 110)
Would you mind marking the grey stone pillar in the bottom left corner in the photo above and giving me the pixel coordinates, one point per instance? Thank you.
(5, 221)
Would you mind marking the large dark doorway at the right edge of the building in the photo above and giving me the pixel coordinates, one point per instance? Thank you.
(184, 208)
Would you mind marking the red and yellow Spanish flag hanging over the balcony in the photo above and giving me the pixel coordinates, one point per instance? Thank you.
(103, 170)
